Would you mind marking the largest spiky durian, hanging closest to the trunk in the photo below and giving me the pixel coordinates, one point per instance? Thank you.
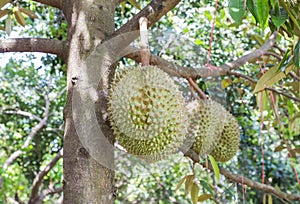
(147, 112)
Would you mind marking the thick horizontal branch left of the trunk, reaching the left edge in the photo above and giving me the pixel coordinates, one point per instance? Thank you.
(51, 46)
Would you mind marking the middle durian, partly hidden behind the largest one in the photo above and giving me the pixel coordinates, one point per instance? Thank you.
(207, 119)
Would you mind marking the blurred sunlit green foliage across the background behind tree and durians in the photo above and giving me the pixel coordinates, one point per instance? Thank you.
(182, 37)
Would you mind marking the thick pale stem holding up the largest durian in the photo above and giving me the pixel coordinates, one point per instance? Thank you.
(145, 51)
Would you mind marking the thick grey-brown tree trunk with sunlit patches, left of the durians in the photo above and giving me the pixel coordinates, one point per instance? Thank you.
(88, 149)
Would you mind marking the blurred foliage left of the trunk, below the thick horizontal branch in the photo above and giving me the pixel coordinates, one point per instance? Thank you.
(24, 87)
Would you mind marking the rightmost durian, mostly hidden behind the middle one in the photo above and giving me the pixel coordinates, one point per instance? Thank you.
(229, 142)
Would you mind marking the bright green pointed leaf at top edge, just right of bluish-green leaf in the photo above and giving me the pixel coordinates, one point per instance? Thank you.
(263, 9)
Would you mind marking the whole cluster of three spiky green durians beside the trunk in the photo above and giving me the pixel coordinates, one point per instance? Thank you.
(151, 120)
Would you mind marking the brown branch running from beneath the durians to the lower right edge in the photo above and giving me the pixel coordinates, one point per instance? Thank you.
(245, 181)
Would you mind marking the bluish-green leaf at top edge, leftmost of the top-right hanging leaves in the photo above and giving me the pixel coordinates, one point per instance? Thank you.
(236, 10)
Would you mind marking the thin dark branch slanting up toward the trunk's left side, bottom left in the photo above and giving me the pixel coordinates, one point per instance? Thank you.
(34, 197)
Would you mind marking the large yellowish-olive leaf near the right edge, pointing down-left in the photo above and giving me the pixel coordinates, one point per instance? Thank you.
(271, 77)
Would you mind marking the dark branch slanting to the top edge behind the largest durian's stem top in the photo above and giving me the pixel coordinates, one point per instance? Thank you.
(153, 12)
